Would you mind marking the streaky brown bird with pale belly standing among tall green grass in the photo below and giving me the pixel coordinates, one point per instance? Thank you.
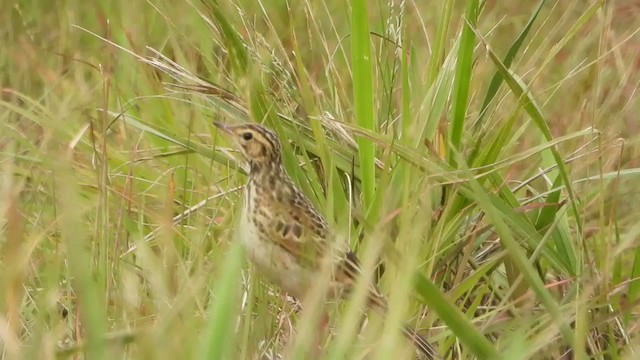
(285, 236)
